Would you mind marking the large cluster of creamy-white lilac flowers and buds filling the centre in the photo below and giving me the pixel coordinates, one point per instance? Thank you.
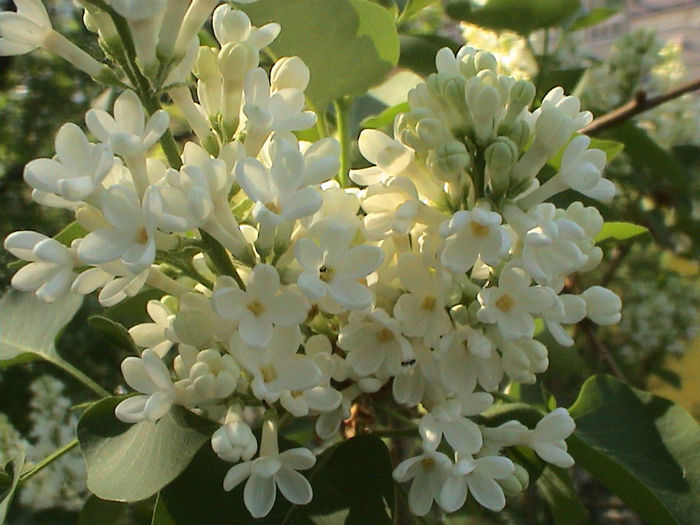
(286, 292)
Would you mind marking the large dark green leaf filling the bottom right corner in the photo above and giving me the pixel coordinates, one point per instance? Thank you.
(643, 448)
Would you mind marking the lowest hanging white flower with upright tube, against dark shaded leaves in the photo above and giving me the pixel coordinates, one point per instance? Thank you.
(270, 471)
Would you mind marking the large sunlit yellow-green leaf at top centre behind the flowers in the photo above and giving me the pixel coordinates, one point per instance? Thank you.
(359, 43)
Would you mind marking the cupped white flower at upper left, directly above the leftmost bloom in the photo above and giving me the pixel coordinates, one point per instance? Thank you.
(78, 169)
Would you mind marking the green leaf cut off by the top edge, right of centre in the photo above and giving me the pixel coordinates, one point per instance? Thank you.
(521, 16)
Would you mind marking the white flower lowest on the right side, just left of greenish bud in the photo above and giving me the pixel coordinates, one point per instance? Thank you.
(477, 476)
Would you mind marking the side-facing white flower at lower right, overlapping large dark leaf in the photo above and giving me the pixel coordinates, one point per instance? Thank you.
(547, 439)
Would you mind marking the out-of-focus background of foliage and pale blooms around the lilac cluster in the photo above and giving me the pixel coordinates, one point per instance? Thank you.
(608, 54)
